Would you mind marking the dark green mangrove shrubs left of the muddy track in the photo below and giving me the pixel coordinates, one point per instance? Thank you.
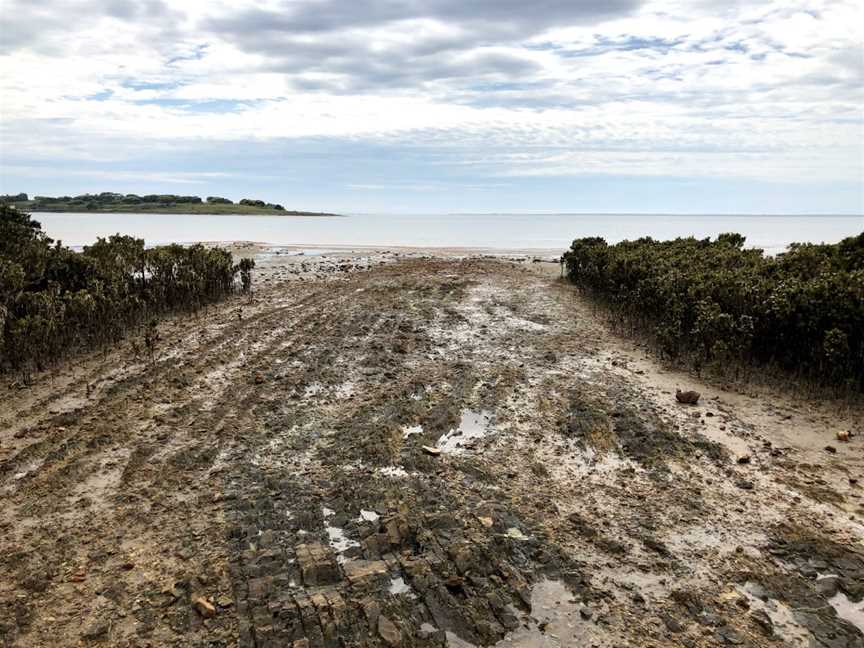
(55, 301)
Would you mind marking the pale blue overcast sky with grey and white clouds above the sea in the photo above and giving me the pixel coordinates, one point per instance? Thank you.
(441, 105)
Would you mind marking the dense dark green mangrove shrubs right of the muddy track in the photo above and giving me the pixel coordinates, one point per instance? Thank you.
(717, 302)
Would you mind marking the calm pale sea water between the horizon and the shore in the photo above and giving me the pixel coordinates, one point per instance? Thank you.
(494, 231)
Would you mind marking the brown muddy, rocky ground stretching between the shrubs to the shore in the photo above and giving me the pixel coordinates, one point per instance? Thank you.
(262, 480)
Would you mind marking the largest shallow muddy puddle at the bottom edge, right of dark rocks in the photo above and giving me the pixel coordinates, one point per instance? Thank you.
(552, 606)
